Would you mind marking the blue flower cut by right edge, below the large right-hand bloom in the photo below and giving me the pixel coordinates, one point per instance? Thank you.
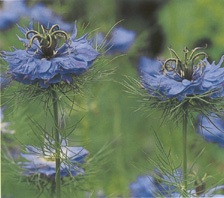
(212, 129)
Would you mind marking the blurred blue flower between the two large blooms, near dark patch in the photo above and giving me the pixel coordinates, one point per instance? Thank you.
(119, 41)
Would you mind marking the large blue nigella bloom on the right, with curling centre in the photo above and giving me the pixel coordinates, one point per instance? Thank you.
(175, 78)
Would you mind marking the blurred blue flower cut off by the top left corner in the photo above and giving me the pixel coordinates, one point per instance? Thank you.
(11, 12)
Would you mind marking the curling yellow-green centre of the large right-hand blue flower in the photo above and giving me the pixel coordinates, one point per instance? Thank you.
(187, 68)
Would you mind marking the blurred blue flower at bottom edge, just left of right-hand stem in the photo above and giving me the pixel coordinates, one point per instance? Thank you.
(148, 186)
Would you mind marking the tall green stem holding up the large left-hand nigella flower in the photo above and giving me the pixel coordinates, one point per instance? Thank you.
(57, 145)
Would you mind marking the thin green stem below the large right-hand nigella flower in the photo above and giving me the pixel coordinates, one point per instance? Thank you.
(185, 150)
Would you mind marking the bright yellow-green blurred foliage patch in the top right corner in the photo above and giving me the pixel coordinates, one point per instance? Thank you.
(193, 23)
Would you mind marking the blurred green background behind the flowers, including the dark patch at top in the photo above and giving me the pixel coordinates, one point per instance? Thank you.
(110, 115)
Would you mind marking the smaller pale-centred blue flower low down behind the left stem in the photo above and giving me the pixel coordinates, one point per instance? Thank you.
(42, 161)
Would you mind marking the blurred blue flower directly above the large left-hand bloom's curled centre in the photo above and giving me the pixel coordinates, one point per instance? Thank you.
(47, 18)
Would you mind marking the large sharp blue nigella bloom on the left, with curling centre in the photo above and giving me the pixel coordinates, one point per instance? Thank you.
(44, 62)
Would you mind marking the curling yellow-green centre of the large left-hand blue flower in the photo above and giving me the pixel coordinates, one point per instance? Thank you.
(48, 39)
